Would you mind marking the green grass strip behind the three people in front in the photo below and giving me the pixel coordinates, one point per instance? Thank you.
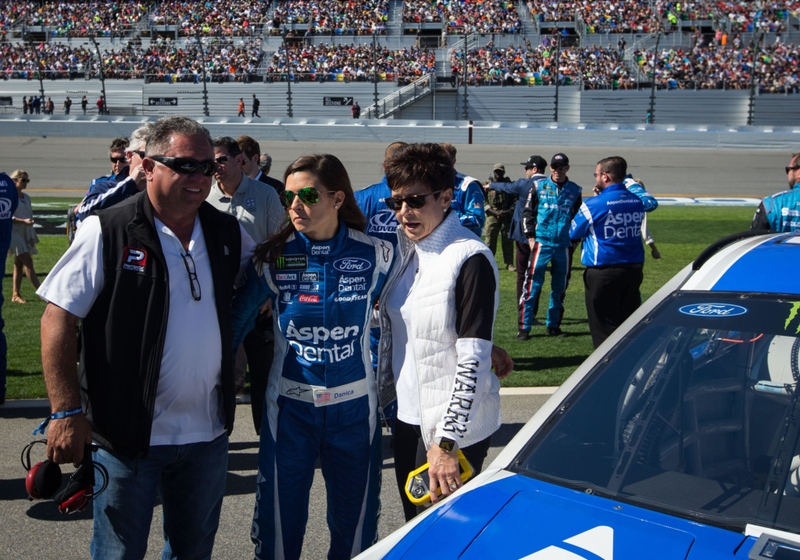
(680, 233)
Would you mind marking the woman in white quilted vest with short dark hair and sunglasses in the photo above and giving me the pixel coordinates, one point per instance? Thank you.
(437, 318)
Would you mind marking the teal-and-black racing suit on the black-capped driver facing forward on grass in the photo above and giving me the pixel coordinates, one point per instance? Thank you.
(548, 212)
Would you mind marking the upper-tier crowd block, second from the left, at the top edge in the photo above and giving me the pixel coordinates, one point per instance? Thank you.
(213, 17)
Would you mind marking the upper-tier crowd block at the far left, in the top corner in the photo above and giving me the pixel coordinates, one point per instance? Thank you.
(79, 19)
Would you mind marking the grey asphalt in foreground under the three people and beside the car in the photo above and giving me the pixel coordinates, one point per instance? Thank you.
(37, 530)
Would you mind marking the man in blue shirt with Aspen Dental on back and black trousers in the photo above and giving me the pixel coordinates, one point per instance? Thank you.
(610, 225)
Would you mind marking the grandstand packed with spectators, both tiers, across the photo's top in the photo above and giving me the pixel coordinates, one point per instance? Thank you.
(719, 57)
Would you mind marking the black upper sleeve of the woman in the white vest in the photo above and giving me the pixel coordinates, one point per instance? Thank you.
(475, 289)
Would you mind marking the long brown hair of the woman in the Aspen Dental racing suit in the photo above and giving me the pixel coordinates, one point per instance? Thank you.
(330, 172)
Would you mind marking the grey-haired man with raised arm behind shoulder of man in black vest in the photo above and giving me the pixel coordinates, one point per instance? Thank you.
(105, 194)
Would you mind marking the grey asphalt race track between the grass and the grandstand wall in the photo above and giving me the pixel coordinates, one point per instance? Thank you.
(66, 166)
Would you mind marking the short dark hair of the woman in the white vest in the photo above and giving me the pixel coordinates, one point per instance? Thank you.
(426, 164)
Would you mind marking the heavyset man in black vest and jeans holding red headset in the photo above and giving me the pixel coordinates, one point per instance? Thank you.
(150, 280)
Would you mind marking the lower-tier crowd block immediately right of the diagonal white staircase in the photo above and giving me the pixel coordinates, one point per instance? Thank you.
(595, 67)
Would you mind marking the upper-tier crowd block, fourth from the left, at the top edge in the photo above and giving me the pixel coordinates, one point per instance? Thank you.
(465, 16)
